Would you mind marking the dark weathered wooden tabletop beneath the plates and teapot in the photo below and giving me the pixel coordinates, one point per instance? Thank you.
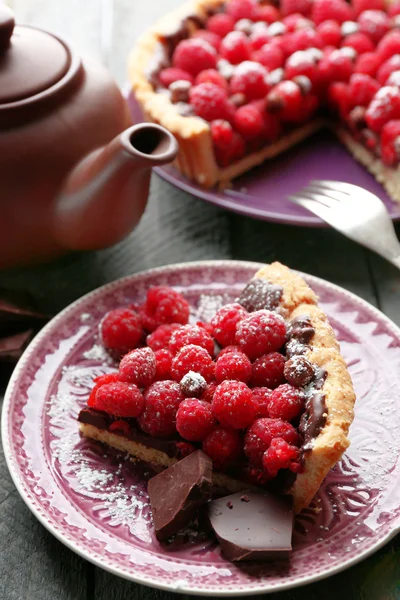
(175, 228)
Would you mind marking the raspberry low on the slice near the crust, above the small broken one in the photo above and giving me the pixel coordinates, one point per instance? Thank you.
(260, 434)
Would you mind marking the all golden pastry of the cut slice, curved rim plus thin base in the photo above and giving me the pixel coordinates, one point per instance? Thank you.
(327, 448)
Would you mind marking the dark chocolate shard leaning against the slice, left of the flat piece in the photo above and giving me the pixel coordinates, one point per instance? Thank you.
(177, 493)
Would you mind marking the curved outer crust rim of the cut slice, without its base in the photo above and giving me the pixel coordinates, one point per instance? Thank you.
(299, 300)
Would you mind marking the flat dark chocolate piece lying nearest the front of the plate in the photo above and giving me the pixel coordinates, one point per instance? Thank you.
(258, 529)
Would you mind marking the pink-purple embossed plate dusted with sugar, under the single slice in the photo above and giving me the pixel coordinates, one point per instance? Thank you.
(96, 503)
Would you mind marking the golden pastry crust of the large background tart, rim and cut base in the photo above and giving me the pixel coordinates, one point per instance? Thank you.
(196, 157)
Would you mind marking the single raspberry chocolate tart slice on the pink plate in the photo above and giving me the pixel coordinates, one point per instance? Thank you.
(263, 389)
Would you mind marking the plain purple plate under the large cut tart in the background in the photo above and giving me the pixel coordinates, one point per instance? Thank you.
(262, 192)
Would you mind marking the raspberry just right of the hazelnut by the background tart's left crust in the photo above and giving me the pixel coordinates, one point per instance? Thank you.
(210, 102)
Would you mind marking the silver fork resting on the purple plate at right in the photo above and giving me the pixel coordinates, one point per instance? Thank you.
(355, 212)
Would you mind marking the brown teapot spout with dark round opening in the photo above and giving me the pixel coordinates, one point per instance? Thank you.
(105, 195)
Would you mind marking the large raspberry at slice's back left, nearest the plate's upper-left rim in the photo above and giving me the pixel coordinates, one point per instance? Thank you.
(121, 331)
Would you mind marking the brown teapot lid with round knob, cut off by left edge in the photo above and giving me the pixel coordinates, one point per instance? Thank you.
(31, 60)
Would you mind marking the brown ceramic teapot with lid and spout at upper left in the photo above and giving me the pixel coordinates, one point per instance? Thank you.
(61, 187)
